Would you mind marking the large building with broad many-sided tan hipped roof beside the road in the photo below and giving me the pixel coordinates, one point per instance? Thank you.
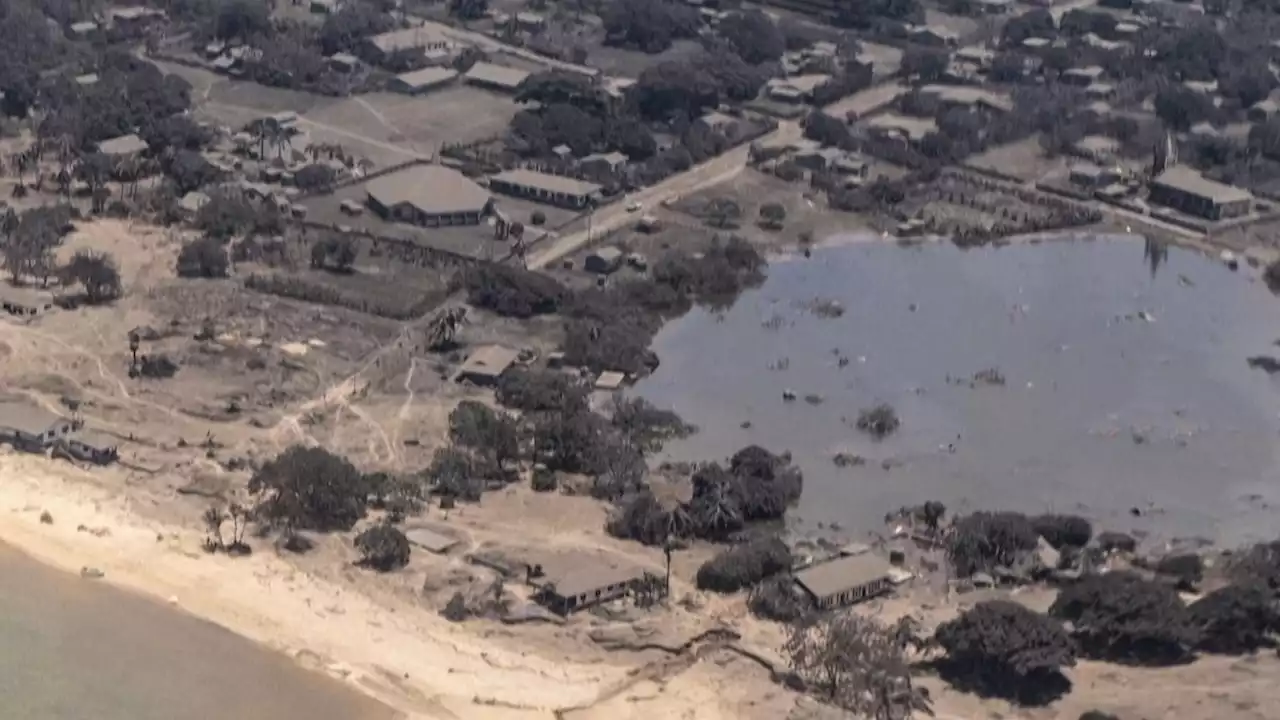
(431, 197)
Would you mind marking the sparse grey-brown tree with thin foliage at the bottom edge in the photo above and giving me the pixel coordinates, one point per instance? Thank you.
(857, 664)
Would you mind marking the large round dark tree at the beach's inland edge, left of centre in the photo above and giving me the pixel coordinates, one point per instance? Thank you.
(310, 489)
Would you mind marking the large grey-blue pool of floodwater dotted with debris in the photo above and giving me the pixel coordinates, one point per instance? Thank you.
(1127, 388)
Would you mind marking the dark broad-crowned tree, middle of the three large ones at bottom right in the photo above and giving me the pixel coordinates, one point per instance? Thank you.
(1126, 618)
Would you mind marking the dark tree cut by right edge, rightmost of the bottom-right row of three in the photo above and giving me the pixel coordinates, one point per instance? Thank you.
(1236, 619)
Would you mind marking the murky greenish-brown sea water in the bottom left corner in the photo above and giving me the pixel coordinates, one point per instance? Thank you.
(75, 649)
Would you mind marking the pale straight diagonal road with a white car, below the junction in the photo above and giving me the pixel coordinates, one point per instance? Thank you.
(615, 217)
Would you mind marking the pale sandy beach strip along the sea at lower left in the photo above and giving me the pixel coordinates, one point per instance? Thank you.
(417, 664)
